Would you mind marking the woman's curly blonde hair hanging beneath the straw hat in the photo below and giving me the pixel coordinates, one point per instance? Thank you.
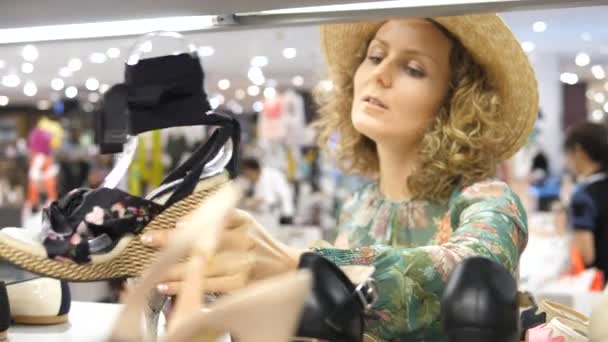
(458, 149)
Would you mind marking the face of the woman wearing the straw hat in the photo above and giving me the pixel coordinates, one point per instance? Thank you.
(401, 84)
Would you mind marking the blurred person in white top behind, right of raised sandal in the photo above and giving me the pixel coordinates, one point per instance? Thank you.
(268, 191)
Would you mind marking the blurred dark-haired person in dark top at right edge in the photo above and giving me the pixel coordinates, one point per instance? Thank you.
(587, 159)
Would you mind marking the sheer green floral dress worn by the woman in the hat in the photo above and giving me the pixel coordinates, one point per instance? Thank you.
(414, 245)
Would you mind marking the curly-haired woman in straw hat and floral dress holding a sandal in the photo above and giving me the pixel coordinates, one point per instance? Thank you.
(429, 108)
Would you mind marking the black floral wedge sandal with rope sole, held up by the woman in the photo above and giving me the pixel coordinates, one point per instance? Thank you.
(93, 234)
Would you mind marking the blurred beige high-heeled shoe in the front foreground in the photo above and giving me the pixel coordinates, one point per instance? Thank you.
(265, 312)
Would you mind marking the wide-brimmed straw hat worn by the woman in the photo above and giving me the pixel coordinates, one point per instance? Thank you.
(491, 44)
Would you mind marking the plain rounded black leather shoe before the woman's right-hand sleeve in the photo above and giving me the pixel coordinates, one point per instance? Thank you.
(479, 303)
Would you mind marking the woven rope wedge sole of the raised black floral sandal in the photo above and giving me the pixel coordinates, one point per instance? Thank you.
(130, 262)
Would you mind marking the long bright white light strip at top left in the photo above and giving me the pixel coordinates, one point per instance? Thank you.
(105, 29)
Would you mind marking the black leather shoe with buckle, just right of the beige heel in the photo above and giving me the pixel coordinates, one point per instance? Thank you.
(334, 310)
